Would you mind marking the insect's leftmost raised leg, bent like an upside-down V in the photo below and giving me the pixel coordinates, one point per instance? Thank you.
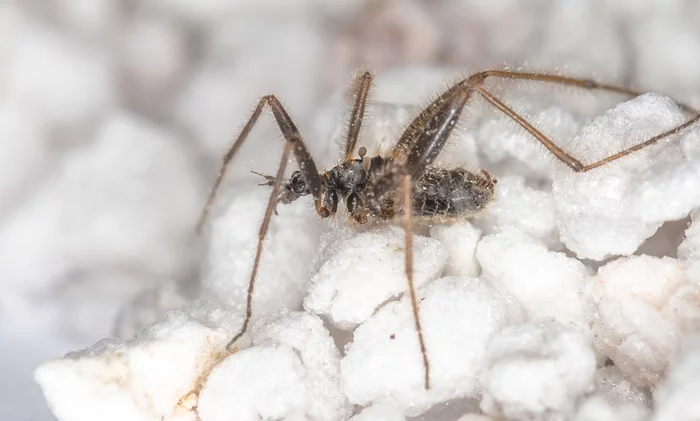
(291, 135)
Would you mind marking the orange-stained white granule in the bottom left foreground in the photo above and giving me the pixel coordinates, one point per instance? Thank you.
(155, 376)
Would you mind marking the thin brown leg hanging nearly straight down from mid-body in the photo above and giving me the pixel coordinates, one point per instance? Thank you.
(408, 230)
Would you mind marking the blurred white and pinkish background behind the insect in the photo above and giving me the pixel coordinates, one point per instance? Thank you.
(114, 115)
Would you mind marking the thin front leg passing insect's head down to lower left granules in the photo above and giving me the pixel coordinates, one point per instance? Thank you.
(271, 204)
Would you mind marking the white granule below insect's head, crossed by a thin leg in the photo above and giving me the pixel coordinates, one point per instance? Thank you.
(285, 266)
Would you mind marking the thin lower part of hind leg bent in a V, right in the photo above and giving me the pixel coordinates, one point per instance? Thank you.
(563, 156)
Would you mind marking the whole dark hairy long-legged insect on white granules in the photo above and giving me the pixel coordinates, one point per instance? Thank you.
(404, 182)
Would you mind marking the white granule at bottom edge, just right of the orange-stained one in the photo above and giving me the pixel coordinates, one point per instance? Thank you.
(290, 373)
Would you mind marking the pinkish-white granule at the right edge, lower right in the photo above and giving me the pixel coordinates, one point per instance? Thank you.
(644, 306)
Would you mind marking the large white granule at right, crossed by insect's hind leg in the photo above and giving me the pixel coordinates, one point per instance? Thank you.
(612, 210)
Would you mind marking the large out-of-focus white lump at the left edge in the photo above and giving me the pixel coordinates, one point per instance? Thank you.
(114, 218)
